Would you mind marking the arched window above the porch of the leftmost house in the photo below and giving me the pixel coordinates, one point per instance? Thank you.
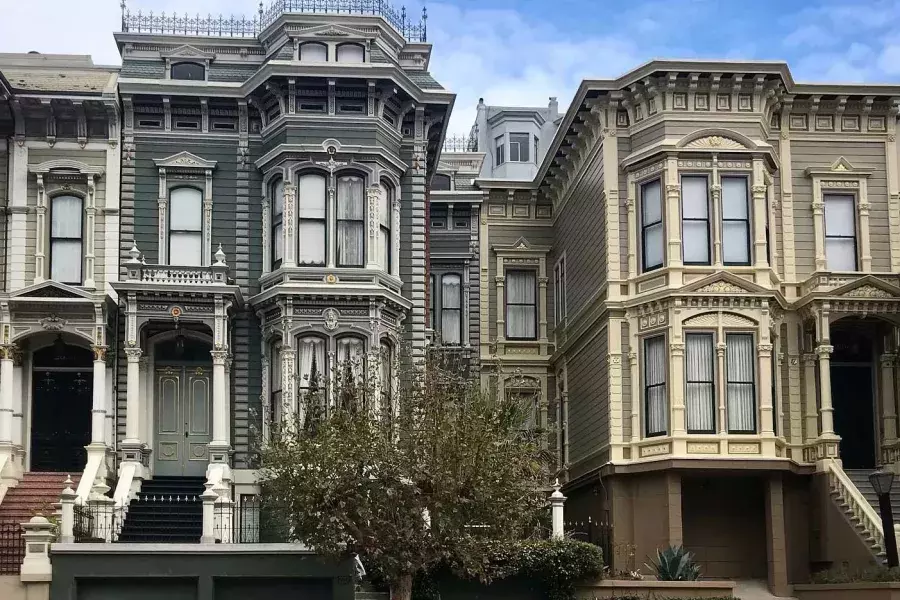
(66, 231)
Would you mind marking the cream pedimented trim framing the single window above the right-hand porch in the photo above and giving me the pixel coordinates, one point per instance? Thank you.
(841, 178)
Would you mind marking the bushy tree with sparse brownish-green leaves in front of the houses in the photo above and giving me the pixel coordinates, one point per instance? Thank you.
(409, 475)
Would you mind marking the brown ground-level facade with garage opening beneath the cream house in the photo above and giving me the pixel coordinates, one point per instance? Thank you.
(741, 523)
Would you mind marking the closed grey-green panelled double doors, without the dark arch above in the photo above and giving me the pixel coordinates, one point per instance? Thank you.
(183, 420)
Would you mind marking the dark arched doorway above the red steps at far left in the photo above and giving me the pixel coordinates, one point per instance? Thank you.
(62, 388)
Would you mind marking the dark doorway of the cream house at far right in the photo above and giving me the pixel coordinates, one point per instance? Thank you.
(853, 385)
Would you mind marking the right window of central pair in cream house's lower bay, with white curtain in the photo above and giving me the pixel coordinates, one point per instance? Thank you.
(740, 402)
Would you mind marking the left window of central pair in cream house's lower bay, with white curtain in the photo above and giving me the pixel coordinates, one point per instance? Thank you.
(699, 388)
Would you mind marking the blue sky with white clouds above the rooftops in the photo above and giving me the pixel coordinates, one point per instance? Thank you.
(521, 52)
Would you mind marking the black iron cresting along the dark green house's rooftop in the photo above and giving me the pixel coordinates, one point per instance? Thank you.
(231, 26)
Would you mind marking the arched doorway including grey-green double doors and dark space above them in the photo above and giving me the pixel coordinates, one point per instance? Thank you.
(183, 408)
